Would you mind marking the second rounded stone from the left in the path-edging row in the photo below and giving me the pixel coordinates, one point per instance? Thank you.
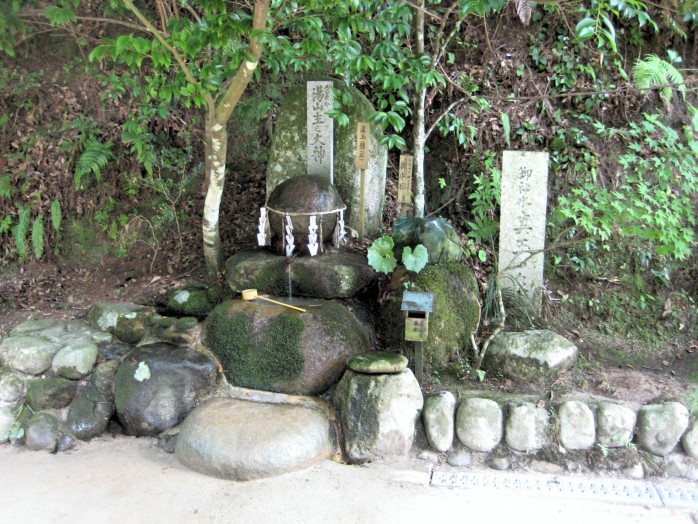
(479, 424)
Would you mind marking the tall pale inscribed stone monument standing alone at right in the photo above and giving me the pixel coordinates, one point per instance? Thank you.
(522, 223)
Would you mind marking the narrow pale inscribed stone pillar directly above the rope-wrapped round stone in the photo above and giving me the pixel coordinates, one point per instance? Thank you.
(320, 142)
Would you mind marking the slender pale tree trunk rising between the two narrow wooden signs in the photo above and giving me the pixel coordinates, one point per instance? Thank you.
(418, 131)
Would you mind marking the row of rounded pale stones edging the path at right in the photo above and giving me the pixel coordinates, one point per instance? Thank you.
(481, 425)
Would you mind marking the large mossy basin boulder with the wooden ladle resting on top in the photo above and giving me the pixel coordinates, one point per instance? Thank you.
(270, 347)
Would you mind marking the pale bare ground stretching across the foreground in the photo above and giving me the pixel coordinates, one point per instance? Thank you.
(128, 480)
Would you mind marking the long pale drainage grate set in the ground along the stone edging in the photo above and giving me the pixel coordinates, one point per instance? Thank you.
(625, 491)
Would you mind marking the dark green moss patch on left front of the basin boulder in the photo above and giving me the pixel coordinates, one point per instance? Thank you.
(275, 357)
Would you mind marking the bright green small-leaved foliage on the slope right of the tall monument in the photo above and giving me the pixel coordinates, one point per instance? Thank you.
(652, 203)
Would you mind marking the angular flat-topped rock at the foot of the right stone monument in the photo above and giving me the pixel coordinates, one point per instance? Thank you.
(537, 355)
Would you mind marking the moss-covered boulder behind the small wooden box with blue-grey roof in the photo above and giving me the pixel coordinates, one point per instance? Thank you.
(456, 313)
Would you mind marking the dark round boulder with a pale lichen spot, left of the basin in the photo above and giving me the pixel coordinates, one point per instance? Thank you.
(157, 385)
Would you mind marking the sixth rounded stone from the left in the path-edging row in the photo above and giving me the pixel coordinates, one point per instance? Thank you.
(660, 427)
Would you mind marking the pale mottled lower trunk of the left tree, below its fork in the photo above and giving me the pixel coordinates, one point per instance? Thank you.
(216, 143)
